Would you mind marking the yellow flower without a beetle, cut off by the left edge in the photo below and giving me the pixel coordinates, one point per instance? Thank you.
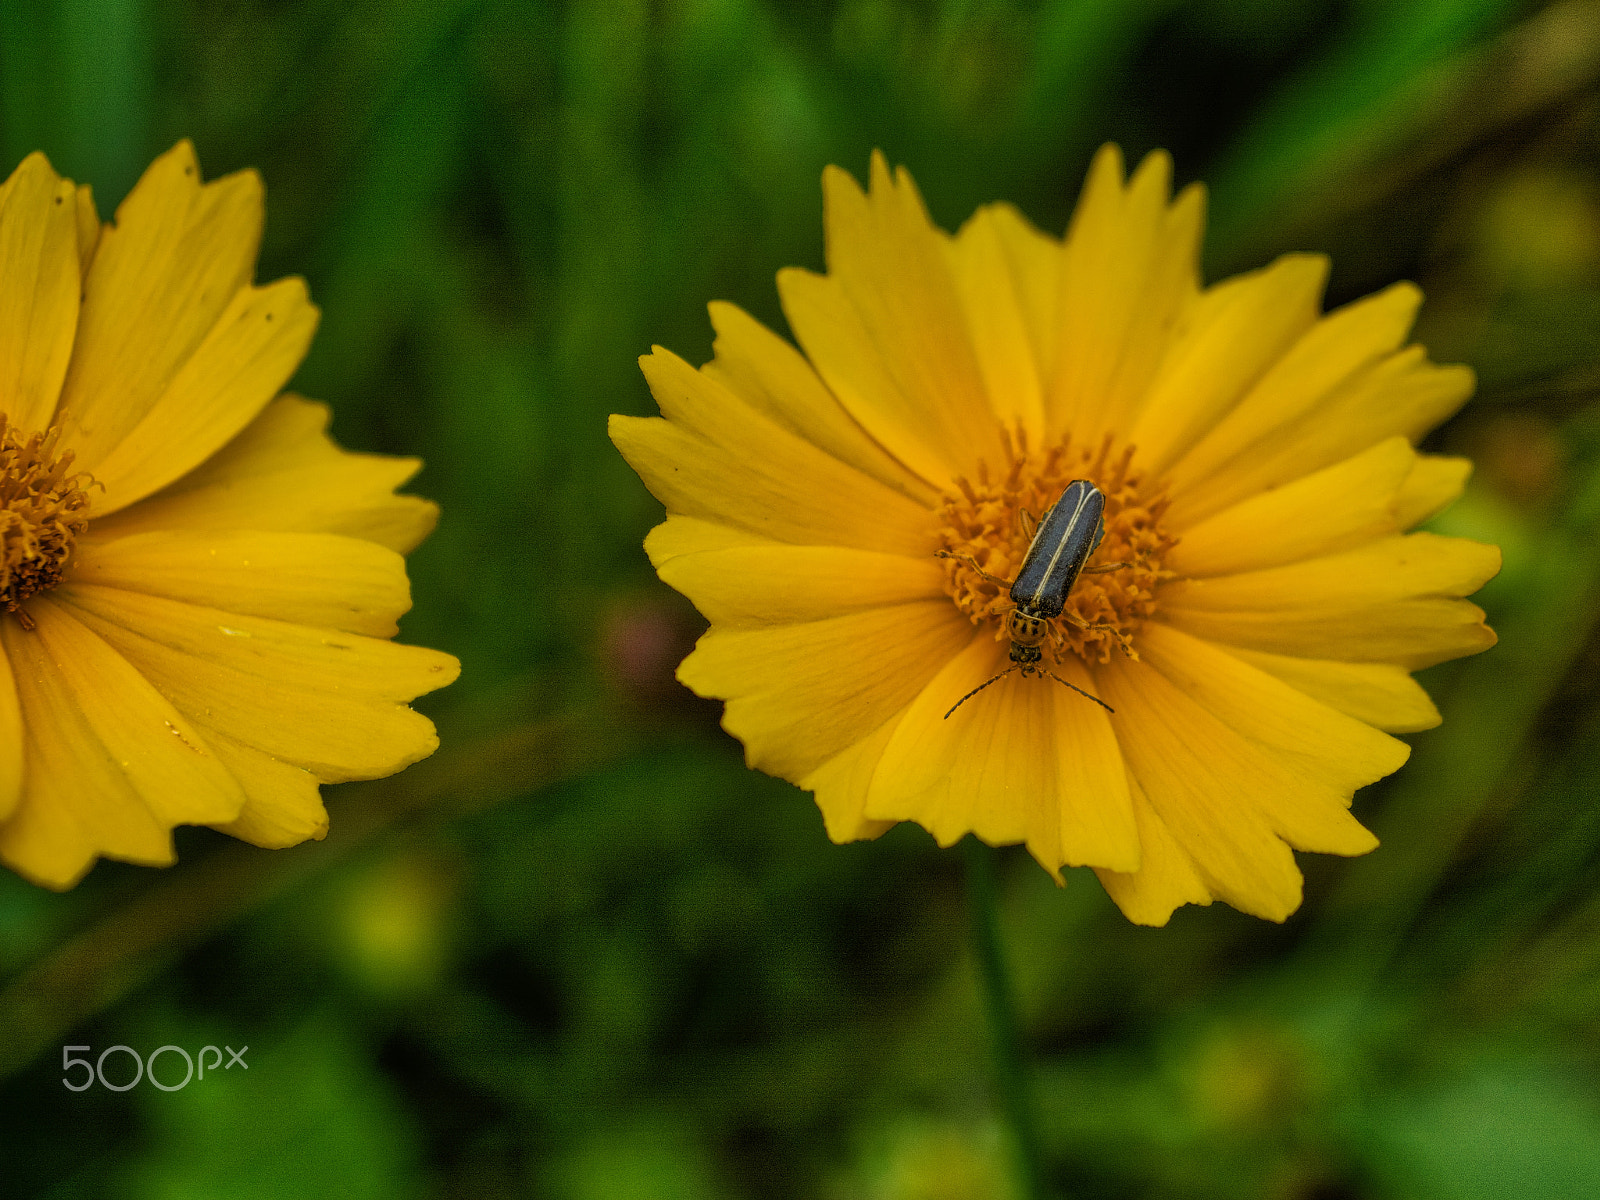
(196, 585)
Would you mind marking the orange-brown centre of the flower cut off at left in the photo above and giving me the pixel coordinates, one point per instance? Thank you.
(42, 511)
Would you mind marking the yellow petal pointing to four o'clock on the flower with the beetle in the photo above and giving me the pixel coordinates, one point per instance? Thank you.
(1330, 751)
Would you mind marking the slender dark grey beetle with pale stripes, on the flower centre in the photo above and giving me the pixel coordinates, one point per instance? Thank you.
(1063, 543)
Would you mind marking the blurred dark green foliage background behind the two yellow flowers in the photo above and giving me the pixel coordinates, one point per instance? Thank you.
(582, 953)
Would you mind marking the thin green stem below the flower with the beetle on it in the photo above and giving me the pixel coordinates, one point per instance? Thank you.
(1001, 1009)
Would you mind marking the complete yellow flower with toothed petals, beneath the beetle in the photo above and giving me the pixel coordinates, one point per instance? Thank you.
(1258, 466)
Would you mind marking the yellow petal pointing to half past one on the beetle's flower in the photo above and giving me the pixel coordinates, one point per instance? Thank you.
(1231, 337)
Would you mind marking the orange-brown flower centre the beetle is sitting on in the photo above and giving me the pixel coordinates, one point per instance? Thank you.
(986, 524)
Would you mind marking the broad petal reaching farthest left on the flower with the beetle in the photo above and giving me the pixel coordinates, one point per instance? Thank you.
(719, 460)
